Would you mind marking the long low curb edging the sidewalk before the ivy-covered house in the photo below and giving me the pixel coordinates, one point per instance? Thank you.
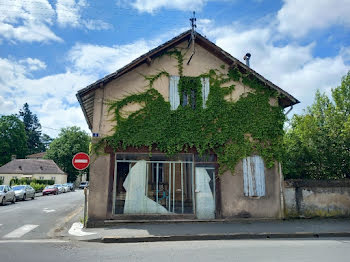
(233, 236)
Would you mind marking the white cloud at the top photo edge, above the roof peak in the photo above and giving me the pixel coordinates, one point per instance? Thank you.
(150, 6)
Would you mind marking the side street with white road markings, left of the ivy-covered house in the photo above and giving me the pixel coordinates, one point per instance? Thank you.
(38, 218)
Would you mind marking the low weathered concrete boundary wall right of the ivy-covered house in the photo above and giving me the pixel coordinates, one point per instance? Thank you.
(317, 198)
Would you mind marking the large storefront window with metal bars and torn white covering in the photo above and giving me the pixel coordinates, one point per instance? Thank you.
(154, 184)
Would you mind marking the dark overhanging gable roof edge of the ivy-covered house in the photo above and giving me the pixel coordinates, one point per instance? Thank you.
(86, 95)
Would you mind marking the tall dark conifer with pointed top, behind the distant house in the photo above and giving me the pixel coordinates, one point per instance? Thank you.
(32, 129)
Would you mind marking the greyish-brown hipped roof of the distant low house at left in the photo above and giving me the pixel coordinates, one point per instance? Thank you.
(30, 166)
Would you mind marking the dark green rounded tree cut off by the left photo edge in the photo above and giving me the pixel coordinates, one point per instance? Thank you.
(13, 139)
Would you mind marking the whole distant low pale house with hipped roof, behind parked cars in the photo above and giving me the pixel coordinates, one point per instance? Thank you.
(39, 169)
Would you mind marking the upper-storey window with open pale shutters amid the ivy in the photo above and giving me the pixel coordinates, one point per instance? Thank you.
(174, 97)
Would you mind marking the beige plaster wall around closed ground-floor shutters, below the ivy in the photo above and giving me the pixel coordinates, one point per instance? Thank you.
(235, 204)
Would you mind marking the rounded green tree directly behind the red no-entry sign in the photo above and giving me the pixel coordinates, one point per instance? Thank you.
(70, 141)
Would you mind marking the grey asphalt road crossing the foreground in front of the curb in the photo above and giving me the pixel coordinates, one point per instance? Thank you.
(222, 250)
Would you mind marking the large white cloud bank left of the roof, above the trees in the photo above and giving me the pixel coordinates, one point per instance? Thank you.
(52, 97)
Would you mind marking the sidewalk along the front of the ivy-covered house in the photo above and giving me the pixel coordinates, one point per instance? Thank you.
(242, 229)
